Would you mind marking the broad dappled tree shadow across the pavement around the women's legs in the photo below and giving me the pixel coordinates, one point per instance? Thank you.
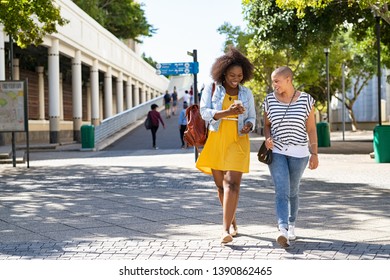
(79, 204)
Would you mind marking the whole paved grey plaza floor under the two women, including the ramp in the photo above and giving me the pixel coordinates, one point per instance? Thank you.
(129, 202)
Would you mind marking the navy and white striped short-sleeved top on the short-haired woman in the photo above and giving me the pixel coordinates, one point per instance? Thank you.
(290, 130)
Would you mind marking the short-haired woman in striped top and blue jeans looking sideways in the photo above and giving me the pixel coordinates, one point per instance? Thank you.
(290, 131)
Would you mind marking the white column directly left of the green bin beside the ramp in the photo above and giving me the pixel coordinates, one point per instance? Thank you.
(77, 101)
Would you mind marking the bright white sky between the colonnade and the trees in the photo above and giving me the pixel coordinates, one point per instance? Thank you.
(185, 25)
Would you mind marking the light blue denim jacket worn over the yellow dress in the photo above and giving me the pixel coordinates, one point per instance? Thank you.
(208, 106)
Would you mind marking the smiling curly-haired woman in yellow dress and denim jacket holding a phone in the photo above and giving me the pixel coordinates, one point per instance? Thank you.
(230, 113)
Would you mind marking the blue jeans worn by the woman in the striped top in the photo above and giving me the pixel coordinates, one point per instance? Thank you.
(286, 172)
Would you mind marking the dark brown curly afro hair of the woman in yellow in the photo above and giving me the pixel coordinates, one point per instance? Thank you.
(233, 57)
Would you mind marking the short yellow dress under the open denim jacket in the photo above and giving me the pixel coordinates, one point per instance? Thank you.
(225, 150)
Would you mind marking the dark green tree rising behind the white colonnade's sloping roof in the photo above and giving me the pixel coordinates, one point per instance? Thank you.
(123, 18)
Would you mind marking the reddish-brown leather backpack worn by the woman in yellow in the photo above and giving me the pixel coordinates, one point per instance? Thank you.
(196, 132)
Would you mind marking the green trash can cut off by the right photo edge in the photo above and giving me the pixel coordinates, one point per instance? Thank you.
(382, 143)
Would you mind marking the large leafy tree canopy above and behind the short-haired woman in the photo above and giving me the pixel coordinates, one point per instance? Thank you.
(298, 40)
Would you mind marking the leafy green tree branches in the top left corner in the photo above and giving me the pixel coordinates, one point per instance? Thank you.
(29, 21)
